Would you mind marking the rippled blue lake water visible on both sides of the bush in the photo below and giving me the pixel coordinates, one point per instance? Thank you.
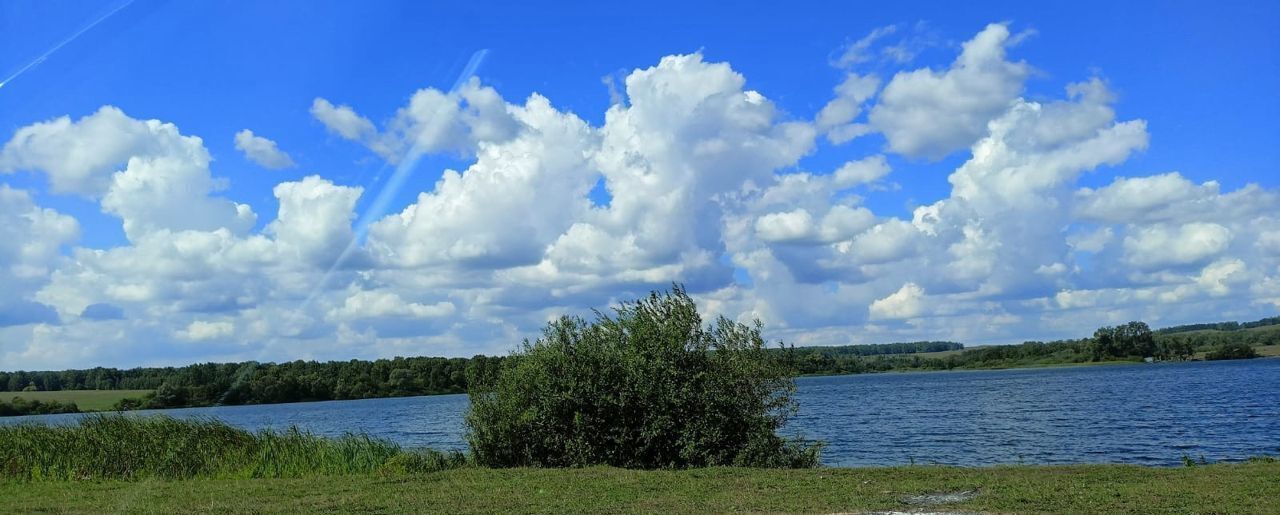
(1136, 414)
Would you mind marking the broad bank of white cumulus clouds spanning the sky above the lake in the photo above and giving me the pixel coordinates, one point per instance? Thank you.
(707, 185)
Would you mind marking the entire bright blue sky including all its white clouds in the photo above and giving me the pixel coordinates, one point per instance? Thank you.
(213, 181)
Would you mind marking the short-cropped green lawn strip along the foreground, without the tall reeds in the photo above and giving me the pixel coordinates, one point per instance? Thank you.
(1251, 489)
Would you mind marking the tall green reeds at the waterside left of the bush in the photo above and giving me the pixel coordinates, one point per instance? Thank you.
(138, 448)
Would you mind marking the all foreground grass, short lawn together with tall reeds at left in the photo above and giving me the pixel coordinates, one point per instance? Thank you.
(158, 464)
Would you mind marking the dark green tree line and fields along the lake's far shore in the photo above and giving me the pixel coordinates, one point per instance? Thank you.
(252, 382)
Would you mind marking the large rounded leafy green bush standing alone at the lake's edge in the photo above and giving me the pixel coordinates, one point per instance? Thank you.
(648, 388)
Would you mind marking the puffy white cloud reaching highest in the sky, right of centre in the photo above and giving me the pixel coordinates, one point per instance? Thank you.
(932, 113)
